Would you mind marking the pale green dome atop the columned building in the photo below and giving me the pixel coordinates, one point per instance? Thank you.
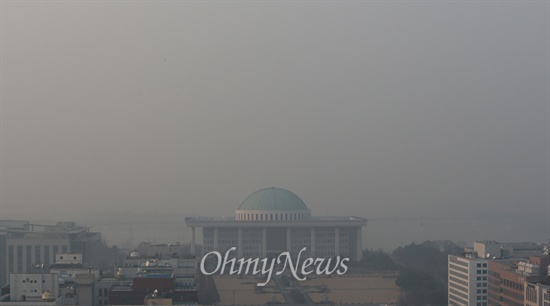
(273, 199)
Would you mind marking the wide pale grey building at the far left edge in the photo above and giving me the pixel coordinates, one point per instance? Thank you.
(25, 246)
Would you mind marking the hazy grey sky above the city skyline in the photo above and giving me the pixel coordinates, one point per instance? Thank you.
(368, 108)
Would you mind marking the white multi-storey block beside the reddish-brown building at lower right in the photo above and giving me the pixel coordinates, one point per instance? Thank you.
(468, 280)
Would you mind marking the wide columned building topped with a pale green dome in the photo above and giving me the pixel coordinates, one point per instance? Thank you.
(275, 220)
